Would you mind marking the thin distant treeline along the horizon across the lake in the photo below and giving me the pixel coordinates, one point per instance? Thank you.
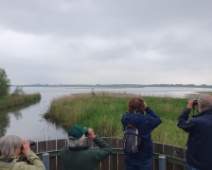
(116, 85)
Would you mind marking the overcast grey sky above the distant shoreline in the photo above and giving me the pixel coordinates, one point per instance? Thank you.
(106, 41)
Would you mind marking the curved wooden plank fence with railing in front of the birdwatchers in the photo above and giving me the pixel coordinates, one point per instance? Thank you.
(166, 157)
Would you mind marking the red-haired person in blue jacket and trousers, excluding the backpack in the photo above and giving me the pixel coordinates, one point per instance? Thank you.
(145, 123)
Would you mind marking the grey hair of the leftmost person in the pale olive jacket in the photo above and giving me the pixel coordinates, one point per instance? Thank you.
(8, 145)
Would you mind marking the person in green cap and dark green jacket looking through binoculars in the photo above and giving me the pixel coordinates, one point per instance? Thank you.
(77, 156)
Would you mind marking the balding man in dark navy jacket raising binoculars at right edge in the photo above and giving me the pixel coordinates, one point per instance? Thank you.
(199, 127)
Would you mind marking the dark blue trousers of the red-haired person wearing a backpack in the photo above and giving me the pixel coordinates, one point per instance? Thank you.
(137, 164)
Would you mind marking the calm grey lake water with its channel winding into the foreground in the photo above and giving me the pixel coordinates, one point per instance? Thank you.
(28, 123)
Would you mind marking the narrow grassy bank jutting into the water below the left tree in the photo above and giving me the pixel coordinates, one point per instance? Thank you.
(12, 101)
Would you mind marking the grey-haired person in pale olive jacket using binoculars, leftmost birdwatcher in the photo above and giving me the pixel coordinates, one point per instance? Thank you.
(12, 148)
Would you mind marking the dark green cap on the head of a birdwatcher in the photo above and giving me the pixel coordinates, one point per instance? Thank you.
(77, 131)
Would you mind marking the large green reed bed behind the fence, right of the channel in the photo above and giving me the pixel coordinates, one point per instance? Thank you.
(103, 112)
